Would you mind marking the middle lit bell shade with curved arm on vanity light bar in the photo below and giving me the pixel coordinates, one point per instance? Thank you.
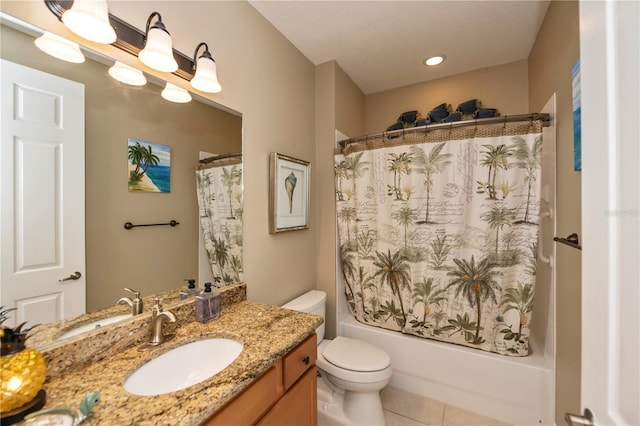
(158, 48)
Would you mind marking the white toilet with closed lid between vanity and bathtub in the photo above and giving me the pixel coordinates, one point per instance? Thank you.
(351, 372)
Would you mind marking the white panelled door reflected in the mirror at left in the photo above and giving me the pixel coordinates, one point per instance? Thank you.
(42, 195)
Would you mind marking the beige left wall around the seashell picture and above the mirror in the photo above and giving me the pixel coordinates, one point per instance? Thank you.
(264, 77)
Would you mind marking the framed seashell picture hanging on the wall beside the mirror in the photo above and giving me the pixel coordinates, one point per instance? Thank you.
(289, 193)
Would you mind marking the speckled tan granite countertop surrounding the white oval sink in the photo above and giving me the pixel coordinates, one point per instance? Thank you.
(267, 332)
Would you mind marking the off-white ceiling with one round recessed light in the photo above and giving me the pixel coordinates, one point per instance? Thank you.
(381, 45)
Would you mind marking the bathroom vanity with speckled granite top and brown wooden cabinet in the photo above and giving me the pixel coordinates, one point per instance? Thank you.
(272, 381)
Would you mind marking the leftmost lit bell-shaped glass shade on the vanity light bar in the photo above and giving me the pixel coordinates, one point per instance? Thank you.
(90, 19)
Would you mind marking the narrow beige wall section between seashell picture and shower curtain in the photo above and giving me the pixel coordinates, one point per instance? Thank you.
(339, 105)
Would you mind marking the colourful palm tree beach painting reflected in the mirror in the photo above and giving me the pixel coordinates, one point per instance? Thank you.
(149, 167)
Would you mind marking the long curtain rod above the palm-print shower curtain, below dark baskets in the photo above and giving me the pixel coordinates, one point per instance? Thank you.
(543, 117)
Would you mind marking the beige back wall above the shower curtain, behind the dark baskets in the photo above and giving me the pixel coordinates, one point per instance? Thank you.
(503, 87)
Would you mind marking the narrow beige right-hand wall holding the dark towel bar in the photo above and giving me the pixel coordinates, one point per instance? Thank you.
(554, 53)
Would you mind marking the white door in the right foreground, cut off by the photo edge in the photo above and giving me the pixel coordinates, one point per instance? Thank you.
(610, 90)
